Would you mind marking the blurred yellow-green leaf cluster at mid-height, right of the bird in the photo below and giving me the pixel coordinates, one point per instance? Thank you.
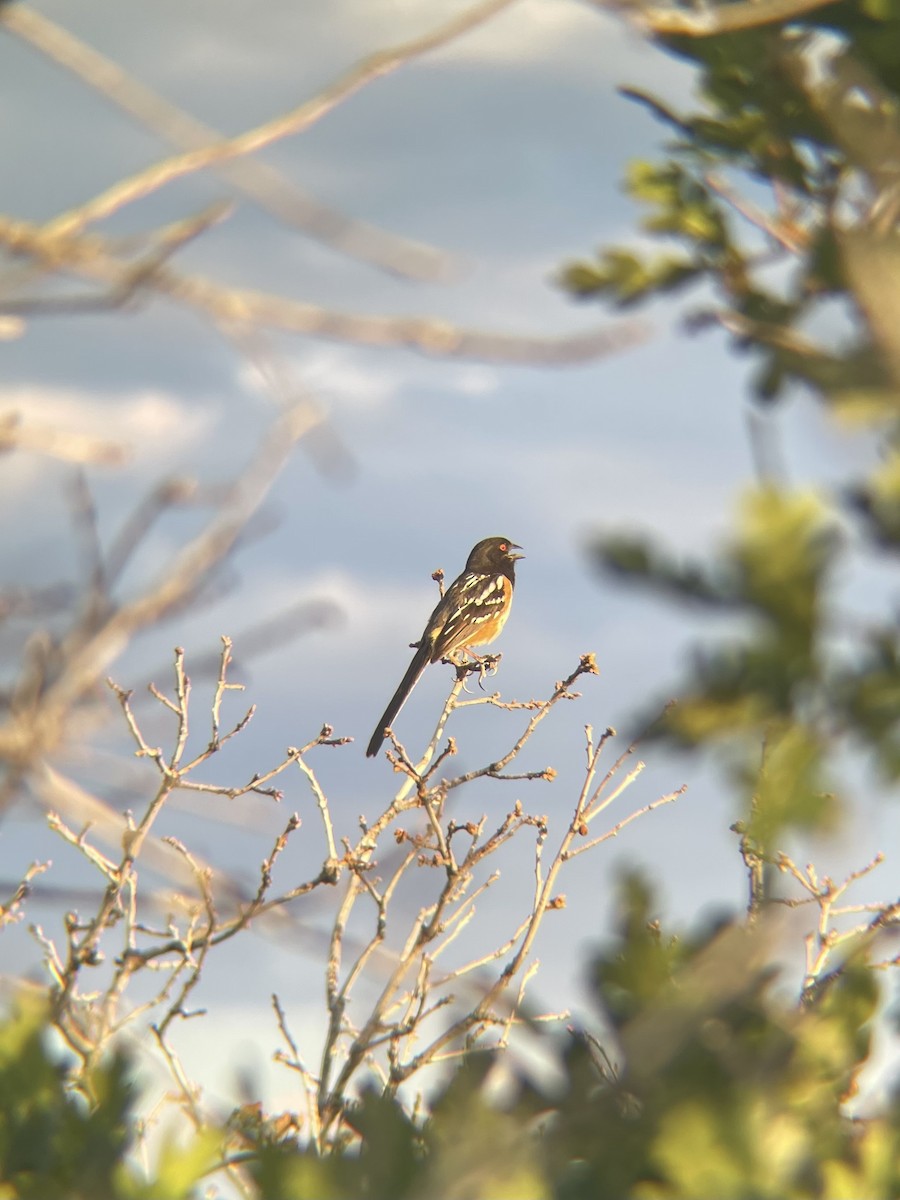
(767, 697)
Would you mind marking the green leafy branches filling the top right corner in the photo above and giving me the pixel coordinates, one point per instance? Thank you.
(754, 197)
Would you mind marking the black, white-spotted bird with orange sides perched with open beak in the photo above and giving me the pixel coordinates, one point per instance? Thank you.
(472, 613)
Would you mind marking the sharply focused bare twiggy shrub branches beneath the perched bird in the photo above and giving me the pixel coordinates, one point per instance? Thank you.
(395, 1003)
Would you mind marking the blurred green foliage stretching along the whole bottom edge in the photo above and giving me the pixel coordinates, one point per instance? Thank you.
(715, 1085)
